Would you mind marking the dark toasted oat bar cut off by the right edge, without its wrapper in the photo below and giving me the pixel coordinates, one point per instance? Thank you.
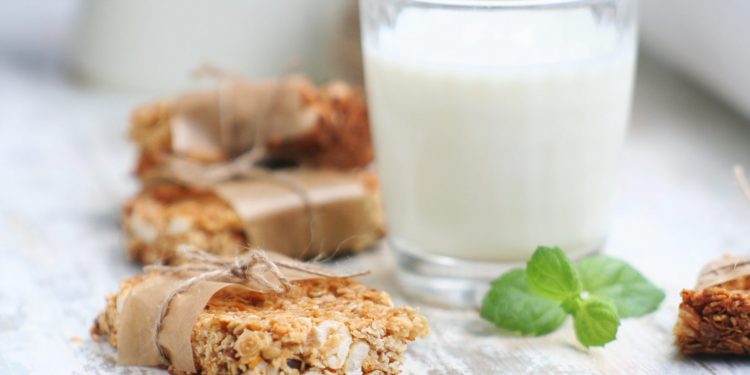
(715, 320)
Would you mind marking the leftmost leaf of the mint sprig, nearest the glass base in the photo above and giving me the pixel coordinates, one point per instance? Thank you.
(511, 305)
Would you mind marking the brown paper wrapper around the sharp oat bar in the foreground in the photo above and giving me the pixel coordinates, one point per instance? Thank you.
(137, 323)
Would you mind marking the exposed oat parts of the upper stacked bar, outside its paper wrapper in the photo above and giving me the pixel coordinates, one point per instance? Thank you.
(339, 139)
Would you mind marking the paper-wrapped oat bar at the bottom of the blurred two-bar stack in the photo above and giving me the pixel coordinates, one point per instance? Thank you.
(272, 217)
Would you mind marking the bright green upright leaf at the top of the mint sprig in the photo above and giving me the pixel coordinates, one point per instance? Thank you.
(552, 275)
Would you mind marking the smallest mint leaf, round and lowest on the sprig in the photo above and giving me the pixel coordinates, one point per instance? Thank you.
(596, 322)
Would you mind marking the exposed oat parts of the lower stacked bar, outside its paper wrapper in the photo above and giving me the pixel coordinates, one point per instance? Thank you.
(166, 215)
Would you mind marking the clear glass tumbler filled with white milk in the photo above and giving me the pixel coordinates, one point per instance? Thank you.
(497, 125)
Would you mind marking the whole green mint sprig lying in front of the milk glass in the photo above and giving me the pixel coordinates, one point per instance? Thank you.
(597, 293)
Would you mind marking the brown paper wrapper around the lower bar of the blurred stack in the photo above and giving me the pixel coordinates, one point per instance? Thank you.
(339, 208)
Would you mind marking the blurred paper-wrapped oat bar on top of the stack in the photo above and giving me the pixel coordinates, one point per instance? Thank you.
(335, 134)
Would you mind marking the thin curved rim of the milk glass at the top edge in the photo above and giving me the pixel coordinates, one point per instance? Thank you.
(507, 4)
